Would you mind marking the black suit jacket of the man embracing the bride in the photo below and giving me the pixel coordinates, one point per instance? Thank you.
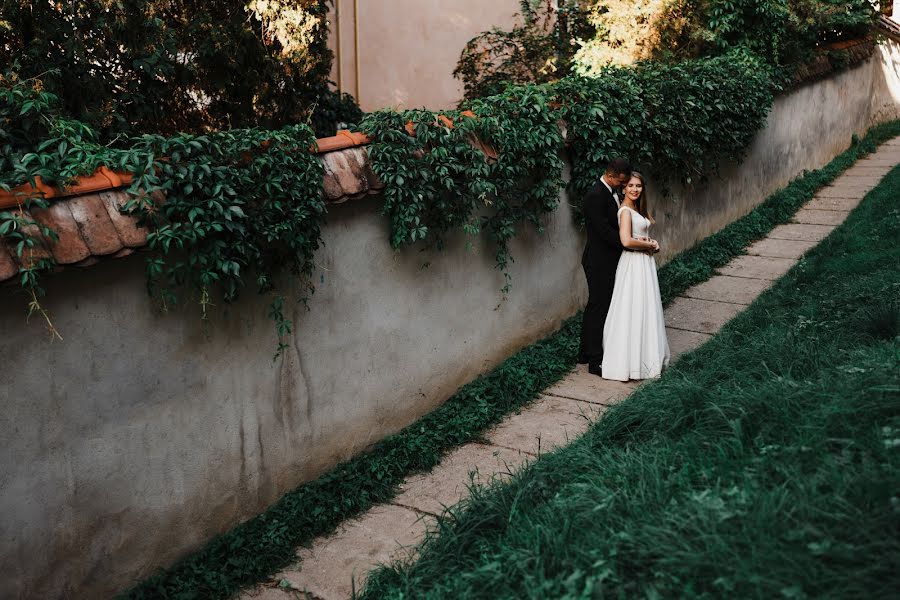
(603, 246)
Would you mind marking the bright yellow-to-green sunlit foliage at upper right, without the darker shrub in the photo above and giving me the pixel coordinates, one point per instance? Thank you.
(784, 33)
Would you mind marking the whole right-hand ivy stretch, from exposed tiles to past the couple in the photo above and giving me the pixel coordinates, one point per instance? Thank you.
(681, 121)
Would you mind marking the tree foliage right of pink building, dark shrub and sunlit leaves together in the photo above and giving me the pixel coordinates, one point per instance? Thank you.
(585, 36)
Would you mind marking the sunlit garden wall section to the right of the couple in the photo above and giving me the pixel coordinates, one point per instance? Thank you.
(805, 130)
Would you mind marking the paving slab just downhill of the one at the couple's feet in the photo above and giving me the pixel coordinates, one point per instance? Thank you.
(549, 423)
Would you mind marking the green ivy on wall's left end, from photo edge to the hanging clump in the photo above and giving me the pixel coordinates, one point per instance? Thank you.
(240, 205)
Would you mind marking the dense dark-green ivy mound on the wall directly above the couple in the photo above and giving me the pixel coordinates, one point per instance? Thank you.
(681, 122)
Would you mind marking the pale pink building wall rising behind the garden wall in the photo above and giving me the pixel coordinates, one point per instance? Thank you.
(408, 48)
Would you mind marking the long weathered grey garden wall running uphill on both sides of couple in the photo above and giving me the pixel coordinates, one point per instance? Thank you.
(143, 434)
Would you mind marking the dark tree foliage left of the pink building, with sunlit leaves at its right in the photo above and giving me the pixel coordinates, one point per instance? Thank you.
(129, 66)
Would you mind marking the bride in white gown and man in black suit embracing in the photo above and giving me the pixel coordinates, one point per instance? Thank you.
(623, 335)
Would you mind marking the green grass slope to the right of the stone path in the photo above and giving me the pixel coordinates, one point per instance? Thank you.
(764, 464)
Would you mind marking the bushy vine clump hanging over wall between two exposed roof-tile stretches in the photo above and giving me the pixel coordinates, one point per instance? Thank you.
(239, 205)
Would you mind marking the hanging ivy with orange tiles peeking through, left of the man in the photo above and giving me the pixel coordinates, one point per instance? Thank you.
(441, 178)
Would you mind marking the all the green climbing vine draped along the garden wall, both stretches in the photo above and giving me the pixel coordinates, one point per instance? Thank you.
(244, 207)
